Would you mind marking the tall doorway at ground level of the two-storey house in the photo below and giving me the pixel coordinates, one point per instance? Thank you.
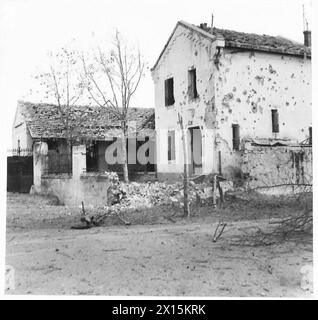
(195, 139)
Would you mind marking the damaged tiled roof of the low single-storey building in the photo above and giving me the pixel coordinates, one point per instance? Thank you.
(85, 122)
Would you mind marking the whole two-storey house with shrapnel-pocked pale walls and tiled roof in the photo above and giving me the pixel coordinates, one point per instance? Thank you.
(236, 92)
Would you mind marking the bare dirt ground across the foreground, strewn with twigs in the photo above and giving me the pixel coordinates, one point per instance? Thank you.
(160, 257)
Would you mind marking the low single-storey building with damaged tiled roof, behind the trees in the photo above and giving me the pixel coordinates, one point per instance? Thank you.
(69, 149)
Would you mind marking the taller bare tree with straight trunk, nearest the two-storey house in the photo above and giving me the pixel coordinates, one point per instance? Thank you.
(111, 79)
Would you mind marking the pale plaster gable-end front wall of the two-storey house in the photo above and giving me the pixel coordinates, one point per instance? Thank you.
(186, 49)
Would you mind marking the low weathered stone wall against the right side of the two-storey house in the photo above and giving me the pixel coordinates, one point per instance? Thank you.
(277, 167)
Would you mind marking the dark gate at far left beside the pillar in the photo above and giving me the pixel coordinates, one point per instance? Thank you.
(19, 173)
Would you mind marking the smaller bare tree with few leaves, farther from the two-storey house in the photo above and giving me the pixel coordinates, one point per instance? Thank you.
(62, 85)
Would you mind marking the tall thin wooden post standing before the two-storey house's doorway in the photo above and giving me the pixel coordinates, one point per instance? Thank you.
(186, 206)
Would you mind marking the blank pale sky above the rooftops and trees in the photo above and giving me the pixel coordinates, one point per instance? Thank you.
(31, 28)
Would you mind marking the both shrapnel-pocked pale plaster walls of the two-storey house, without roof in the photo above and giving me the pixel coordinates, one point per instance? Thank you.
(242, 93)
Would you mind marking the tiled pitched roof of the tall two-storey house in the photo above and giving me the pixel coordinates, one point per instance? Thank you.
(246, 41)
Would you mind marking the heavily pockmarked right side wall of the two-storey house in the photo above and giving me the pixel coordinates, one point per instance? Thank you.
(249, 86)
